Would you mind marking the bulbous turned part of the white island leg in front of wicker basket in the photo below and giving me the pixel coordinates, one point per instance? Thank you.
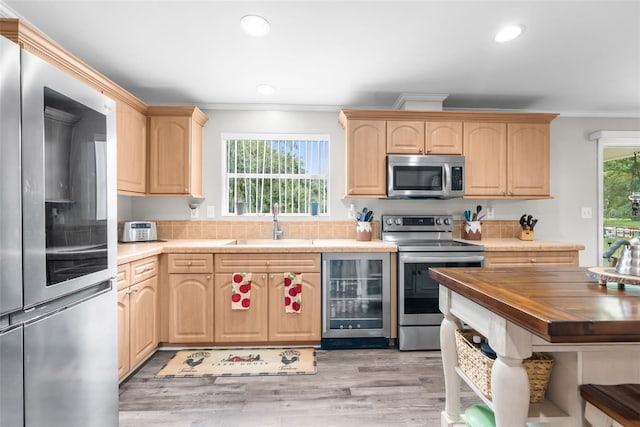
(510, 392)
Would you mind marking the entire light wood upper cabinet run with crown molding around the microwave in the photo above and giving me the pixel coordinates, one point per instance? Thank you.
(506, 154)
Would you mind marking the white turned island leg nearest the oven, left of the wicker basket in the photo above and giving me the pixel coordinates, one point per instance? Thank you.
(451, 414)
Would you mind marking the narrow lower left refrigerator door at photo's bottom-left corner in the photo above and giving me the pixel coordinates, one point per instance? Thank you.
(11, 409)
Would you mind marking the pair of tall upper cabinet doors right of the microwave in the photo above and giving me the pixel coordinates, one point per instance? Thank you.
(506, 160)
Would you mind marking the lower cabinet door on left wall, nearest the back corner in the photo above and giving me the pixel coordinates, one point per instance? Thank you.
(144, 319)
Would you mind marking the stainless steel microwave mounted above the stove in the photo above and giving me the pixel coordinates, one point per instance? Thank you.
(422, 177)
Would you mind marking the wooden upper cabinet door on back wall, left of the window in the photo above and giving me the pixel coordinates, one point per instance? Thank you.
(169, 155)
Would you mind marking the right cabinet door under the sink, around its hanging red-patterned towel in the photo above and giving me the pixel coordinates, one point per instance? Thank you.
(290, 327)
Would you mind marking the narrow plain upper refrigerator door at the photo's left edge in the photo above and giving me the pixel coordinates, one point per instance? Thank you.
(10, 194)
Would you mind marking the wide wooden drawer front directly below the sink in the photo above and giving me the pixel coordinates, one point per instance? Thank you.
(273, 262)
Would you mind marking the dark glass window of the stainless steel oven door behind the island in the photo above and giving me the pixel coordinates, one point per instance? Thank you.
(420, 290)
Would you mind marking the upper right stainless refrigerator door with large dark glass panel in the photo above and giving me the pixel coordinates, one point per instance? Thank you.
(69, 230)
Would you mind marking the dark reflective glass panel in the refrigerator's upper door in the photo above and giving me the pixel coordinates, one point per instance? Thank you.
(75, 188)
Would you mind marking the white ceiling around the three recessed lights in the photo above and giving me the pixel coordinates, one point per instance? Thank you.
(575, 57)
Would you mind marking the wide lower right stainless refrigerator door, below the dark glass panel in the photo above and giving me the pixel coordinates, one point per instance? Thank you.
(70, 365)
